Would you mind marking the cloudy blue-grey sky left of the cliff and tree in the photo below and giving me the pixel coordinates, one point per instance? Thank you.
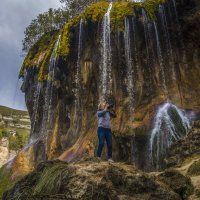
(15, 16)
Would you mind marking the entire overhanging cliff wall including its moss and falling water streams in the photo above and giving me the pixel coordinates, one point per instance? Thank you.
(137, 66)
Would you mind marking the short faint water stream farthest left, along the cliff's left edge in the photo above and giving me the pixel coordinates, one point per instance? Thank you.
(35, 107)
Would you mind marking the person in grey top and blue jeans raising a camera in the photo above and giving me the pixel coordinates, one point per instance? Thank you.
(104, 113)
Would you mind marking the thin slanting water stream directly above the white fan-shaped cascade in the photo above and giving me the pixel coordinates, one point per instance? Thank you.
(160, 59)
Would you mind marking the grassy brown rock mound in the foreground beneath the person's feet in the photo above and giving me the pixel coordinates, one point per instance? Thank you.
(90, 179)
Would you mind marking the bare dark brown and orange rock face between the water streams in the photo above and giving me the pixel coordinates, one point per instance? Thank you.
(166, 66)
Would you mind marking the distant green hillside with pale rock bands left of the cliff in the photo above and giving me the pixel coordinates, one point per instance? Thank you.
(14, 132)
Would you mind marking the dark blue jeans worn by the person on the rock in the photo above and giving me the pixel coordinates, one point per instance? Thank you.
(104, 134)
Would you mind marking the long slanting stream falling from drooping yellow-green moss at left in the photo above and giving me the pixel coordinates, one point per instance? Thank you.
(49, 89)
